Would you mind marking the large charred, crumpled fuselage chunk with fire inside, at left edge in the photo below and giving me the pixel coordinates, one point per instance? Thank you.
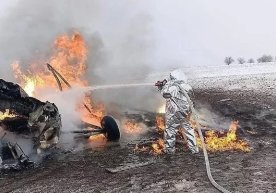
(23, 114)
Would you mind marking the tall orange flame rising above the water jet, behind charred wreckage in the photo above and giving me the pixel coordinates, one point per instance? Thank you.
(68, 58)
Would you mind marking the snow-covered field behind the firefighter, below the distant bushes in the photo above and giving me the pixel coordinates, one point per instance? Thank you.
(255, 76)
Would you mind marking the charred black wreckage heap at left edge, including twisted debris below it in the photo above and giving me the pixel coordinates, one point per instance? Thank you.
(21, 114)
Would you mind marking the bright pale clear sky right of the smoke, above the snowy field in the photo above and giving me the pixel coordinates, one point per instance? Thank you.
(202, 32)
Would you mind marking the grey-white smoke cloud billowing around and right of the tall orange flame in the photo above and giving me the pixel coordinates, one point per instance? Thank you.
(120, 38)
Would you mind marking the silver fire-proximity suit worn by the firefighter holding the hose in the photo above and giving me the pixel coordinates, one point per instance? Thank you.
(178, 108)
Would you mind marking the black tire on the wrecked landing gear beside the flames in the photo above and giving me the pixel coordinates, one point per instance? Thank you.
(111, 128)
